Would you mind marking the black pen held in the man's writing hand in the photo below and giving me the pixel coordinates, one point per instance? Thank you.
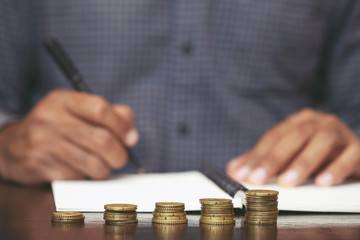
(57, 52)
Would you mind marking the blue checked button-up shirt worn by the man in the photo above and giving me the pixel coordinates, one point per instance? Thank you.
(205, 78)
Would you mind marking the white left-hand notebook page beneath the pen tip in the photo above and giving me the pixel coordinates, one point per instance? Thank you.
(140, 189)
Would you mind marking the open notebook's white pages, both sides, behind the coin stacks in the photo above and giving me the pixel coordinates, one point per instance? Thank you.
(188, 187)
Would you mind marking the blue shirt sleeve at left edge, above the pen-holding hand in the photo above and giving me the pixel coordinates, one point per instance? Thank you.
(15, 58)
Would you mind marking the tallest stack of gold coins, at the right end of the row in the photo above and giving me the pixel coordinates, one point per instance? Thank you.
(261, 207)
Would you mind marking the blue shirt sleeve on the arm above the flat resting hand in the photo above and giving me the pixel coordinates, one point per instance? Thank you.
(342, 73)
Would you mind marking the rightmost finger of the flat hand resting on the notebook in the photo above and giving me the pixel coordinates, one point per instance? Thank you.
(341, 168)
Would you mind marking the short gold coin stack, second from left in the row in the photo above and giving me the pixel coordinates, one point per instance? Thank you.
(117, 214)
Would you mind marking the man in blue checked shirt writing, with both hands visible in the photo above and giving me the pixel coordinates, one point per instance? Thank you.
(205, 78)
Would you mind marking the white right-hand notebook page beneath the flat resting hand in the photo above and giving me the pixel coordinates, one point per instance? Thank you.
(309, 197)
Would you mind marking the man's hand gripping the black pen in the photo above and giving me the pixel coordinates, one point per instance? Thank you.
(68, 135)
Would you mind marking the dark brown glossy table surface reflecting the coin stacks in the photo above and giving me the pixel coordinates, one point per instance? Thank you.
(25, 213)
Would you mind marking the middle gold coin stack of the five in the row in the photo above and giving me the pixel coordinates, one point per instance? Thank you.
(169, 213)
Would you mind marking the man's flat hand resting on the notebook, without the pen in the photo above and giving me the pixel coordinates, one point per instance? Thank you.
(306, 144)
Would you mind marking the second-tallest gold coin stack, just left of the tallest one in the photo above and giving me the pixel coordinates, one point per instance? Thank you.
(217, 211)
